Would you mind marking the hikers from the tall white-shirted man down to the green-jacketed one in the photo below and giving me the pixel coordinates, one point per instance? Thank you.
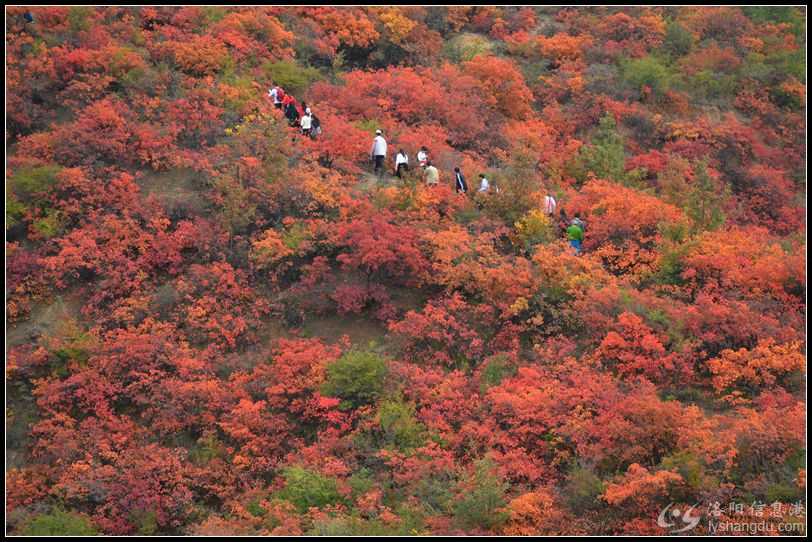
(572, 229)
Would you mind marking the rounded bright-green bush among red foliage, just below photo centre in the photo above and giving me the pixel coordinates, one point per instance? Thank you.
(357, 378)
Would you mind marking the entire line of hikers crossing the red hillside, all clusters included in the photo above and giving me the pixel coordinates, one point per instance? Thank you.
(300, 115)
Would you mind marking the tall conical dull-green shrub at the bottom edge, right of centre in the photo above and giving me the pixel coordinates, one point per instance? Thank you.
(482, 499)
